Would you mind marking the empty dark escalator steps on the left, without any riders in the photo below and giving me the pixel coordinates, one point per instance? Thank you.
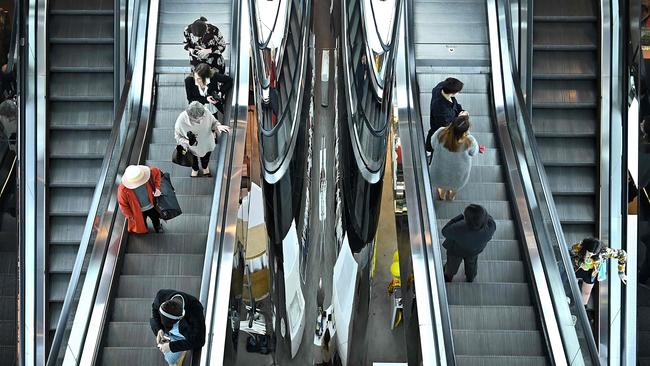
(80, 106)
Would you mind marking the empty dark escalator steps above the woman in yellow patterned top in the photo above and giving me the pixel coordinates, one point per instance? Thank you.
(565, 115)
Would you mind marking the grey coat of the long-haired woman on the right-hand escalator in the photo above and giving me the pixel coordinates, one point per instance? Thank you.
(450, 170)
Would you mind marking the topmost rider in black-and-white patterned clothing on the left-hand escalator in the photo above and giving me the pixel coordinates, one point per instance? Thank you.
(205, 44)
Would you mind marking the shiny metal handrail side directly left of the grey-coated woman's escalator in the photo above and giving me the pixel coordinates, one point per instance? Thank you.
(432, 305)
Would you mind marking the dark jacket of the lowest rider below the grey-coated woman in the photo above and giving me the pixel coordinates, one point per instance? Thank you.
(461, 241)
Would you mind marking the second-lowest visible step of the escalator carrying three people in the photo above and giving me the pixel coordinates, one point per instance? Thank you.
(499, 343)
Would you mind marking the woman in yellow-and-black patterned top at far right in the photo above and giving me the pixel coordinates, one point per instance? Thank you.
(590, 264)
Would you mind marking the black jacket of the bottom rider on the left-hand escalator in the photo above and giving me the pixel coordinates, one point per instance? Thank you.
(192, 325)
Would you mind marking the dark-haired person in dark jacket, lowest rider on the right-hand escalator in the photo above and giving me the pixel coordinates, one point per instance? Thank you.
(466, 236)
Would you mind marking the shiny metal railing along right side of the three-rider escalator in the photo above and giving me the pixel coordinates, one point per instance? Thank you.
(570, 318)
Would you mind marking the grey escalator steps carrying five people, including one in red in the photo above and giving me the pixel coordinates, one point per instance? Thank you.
(175, 258)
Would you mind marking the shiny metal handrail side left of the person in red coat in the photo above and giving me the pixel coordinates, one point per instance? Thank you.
(101, 223)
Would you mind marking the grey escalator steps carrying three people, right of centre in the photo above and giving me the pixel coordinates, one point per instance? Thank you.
(495, 320)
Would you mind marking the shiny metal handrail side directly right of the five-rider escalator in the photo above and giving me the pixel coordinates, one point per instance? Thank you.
(217, 268)
